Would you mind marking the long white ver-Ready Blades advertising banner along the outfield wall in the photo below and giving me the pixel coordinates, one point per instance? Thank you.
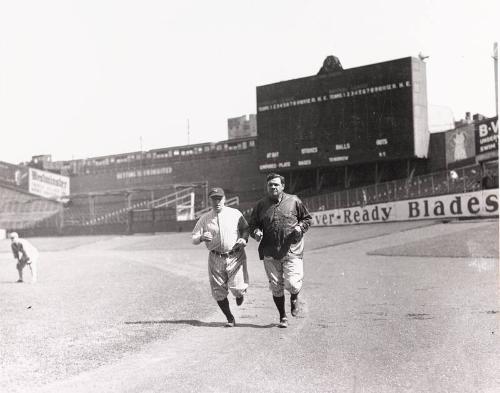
(472, 204)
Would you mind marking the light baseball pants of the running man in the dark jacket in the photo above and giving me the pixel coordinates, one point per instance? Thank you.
(286, 273)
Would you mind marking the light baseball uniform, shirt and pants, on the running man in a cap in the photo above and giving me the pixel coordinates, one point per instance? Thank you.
(226, 273)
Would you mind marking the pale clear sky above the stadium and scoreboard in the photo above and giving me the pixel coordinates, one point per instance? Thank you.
(81, 78)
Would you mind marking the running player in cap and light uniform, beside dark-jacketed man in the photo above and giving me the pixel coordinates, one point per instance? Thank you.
(224, 231)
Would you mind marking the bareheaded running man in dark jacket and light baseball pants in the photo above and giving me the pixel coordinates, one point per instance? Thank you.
(279, 222)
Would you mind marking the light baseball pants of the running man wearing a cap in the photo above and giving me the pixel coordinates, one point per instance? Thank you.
(227, 274)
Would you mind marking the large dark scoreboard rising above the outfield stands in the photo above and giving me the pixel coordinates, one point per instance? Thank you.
(359, 115)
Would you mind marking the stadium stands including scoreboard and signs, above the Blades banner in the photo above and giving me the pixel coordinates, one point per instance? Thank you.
(342, 138)
